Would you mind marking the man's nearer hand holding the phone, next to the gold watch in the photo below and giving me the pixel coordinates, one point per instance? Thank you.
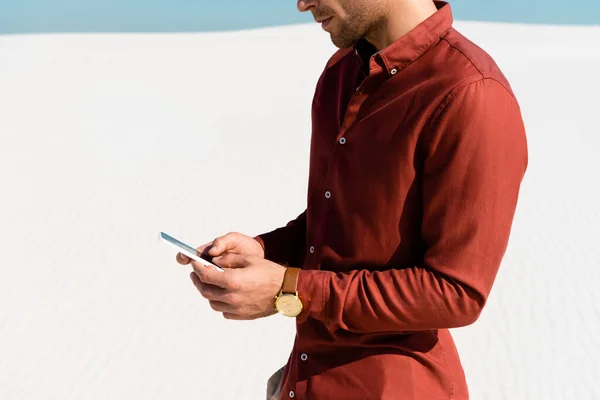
(245, 291)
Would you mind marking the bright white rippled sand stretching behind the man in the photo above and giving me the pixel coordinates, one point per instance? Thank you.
(107, 139)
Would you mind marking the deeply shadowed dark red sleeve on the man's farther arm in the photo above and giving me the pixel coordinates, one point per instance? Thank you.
(286, 245)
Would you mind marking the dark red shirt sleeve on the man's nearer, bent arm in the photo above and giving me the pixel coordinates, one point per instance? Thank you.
(475, 161)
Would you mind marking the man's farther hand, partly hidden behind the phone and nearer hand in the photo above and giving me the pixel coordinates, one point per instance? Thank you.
(232, 243)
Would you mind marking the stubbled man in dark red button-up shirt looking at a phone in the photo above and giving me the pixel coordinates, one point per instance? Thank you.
(418, 151)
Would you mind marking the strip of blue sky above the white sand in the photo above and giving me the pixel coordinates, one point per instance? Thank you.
(45, 16)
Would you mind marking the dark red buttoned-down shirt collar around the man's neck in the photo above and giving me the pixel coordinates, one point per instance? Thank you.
(409, 47)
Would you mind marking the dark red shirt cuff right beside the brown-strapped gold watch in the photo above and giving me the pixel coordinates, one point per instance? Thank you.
(313, 290)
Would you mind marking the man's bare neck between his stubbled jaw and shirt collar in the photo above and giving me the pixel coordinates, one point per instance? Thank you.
(404, 16)
